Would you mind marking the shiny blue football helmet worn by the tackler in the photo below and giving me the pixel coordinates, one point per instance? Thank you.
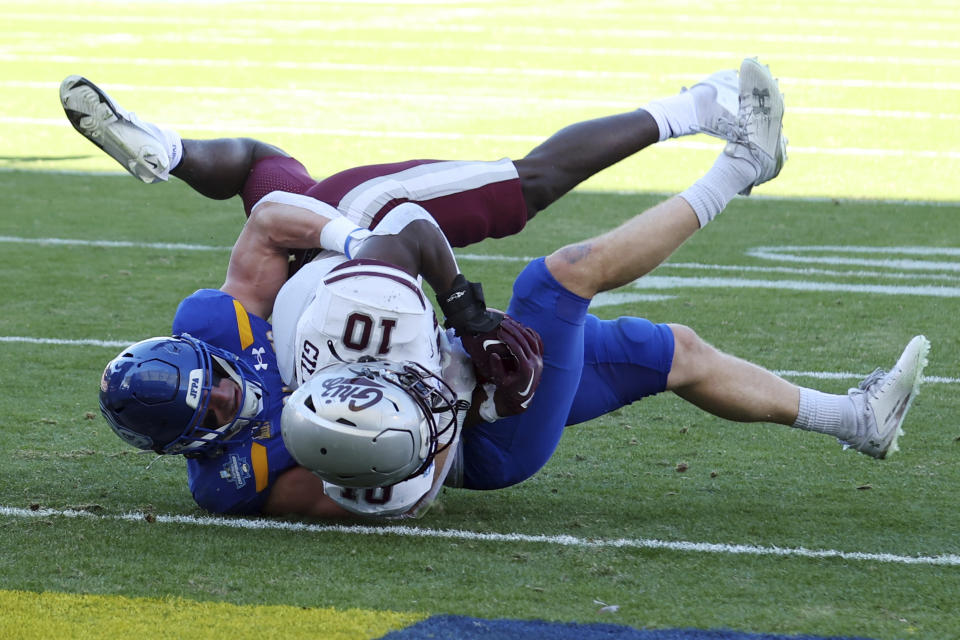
(156, 393)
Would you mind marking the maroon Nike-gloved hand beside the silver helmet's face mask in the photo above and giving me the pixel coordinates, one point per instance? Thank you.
(511, 359)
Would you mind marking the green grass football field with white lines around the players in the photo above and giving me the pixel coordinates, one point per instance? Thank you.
(824, 275)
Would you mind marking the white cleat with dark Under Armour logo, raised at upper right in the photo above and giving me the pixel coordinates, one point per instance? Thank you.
(760, 122)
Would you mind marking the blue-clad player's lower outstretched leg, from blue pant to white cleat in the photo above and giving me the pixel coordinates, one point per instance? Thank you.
(628, 359)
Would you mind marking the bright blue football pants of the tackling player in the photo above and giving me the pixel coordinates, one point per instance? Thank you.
(591, 367)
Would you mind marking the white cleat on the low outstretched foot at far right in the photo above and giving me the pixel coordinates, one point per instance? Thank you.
(883, 399)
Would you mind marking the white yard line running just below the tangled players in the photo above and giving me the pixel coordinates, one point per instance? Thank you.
(473, 536)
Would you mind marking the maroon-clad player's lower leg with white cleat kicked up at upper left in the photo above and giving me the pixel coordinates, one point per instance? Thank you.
(214, 168)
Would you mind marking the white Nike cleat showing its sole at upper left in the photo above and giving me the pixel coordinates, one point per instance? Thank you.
(139, 148)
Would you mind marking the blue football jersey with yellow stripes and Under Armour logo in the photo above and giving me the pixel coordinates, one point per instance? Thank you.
(238, 478)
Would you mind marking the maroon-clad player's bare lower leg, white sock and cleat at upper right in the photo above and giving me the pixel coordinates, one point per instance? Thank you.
(581, 150)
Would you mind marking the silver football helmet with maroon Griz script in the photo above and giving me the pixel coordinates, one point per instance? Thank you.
(369, 424)
